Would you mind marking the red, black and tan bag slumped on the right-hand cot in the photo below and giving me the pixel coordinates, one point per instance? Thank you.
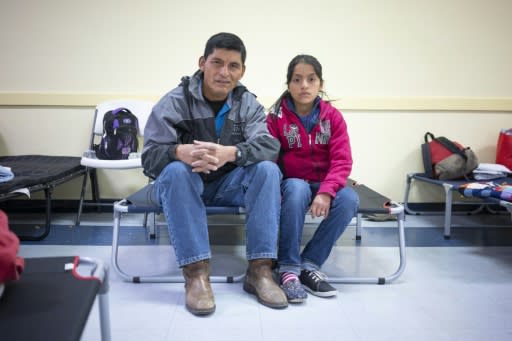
(444, 159)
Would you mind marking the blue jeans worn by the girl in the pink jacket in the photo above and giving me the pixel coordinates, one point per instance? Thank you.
(297, 197)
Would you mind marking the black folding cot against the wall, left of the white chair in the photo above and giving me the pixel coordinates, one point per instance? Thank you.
(34, 173)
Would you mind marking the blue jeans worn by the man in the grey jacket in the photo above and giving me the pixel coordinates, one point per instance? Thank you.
(183, 196)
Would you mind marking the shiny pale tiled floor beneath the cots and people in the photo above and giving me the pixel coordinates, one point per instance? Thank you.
(458, 289)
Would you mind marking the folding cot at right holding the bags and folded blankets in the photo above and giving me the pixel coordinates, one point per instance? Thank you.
(449, 187)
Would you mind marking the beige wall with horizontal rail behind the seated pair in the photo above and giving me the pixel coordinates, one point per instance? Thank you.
(396, 69)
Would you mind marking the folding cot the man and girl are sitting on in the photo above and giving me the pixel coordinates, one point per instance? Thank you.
(144, 201)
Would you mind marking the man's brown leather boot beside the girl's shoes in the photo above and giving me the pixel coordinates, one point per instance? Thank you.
(259, 281)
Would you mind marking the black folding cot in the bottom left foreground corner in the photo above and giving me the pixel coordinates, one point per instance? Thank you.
(53, 298)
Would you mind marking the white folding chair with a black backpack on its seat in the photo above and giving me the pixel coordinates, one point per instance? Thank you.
(141, 109)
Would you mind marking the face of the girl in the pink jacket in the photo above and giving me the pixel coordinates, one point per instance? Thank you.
(304, 85)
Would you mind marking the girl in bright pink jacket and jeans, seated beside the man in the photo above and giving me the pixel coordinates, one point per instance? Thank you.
(316, 160)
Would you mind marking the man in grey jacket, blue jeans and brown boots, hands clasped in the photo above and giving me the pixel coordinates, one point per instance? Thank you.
(206, 143)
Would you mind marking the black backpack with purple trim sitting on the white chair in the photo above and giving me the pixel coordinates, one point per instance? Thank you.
(120, 130)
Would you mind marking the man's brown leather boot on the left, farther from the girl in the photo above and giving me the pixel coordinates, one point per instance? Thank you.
(198, 291)
